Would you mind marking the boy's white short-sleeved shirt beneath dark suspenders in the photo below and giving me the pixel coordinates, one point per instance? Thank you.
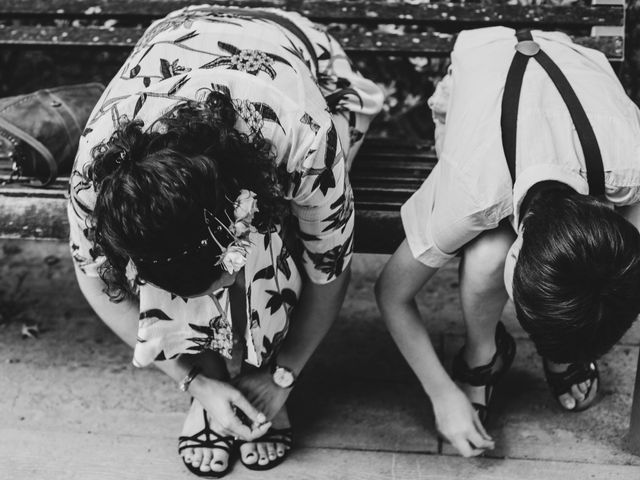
(470, 190)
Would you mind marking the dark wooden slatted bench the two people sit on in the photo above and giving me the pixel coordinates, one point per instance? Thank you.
(387, 171)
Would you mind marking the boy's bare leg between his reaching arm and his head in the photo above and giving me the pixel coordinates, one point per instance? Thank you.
(483, 297)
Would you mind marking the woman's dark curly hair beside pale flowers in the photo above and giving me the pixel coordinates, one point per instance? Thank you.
(153, 185)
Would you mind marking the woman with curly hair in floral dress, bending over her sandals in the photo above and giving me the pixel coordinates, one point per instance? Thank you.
(212, 217)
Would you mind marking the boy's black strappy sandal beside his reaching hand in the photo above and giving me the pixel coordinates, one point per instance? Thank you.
(487, 375)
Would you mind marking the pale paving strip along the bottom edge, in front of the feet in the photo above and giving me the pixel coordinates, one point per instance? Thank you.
(73, 456)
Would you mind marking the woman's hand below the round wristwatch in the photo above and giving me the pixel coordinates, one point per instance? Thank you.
(258, 386)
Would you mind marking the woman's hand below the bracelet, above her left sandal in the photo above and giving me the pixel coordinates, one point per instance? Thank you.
(223, 403)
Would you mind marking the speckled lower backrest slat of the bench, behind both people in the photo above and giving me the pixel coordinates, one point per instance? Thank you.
(426, 43)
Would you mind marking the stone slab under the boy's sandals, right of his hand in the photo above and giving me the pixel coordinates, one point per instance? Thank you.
(529, 424)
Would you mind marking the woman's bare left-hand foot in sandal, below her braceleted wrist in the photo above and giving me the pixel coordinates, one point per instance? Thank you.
(206, 459)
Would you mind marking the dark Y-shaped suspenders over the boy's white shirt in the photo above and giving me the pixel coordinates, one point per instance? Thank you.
(511, 98)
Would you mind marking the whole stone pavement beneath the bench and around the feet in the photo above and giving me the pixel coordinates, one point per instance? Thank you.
(73, 407)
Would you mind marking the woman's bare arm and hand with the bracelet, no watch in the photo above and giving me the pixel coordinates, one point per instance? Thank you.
(217, 397)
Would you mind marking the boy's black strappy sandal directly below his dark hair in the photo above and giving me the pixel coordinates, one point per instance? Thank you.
(561, 382)
